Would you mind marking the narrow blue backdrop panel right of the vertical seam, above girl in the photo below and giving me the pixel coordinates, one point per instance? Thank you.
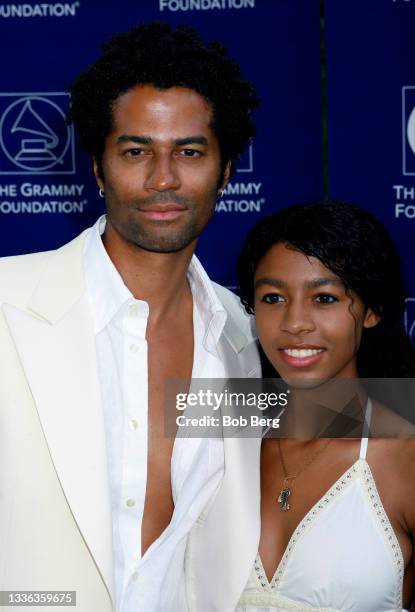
(371, 115)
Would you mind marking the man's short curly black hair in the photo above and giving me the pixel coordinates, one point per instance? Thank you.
(156, 54)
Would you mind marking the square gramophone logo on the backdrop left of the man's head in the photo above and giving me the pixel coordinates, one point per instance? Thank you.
(34, 137)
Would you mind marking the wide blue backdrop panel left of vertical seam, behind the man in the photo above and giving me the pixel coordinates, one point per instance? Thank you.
(47, 193)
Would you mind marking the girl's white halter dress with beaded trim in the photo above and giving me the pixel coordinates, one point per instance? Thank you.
(343, 556)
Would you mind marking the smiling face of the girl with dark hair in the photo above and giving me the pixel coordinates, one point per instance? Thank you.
(309, 328)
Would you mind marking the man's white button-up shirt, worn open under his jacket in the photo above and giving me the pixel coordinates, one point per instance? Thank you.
(120, 323)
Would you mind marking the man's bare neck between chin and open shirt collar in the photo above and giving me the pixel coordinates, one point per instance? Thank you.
(160, 279)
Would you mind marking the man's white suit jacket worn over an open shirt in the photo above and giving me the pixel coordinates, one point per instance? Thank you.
(55, 523)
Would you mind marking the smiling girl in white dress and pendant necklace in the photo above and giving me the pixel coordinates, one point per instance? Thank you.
(337, 515)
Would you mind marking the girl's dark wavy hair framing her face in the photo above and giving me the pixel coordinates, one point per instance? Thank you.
(354, 245)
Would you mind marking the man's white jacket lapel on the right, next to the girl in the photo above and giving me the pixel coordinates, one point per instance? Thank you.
(224, 542)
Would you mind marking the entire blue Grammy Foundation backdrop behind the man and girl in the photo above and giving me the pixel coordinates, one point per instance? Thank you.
(47, 192)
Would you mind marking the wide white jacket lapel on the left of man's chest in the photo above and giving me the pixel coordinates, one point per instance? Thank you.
(55, 342)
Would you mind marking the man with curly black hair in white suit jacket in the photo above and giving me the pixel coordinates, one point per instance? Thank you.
(94, 498)
